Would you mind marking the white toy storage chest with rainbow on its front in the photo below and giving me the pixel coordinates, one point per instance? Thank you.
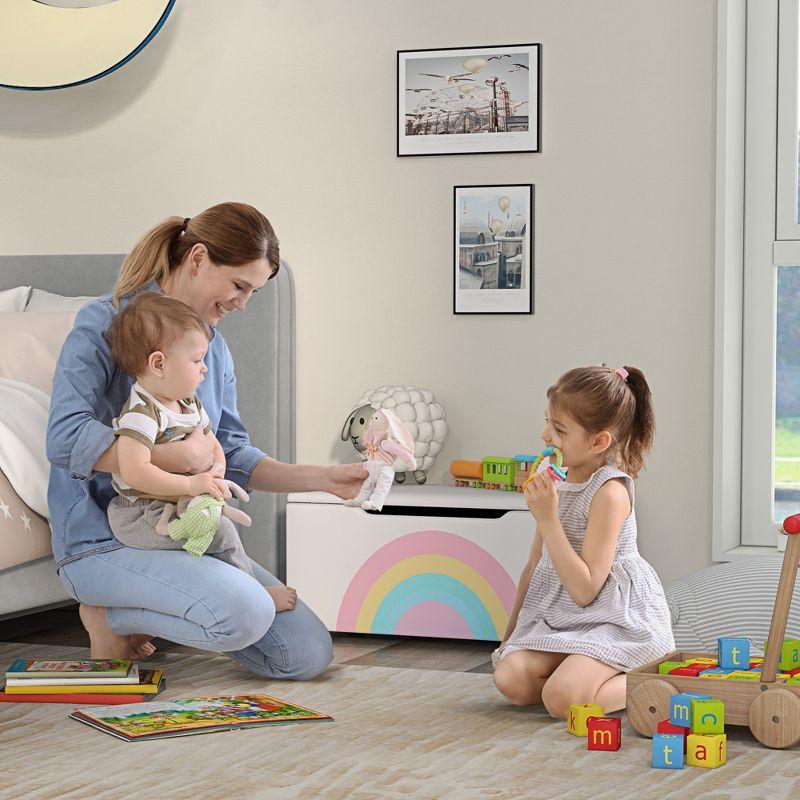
(437, 561)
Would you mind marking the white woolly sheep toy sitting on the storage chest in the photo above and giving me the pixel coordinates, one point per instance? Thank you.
(424, 418)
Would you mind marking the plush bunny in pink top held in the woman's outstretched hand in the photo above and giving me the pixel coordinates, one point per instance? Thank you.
(389, 447)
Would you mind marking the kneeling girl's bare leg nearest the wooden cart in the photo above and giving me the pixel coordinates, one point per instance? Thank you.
(581, 679)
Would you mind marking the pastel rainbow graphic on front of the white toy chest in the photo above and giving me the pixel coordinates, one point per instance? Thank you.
(429, 583)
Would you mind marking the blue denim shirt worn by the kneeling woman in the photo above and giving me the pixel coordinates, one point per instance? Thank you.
(88, 392)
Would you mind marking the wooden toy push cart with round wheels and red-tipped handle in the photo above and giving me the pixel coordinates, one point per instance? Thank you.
(771, 710)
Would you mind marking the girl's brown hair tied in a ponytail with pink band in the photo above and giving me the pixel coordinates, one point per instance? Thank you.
(604, 399)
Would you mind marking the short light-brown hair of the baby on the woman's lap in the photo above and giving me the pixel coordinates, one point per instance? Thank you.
(150, 322)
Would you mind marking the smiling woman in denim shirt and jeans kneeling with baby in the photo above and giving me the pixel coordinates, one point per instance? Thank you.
(213, 262)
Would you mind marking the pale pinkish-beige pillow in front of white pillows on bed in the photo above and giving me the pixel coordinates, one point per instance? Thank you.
(31, 344)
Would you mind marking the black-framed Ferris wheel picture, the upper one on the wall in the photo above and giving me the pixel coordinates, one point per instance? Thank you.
(469, 100)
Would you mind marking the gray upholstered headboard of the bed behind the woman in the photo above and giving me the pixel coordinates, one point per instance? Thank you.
(262, 343)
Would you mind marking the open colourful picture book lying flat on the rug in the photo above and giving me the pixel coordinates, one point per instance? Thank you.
(190, 715)
